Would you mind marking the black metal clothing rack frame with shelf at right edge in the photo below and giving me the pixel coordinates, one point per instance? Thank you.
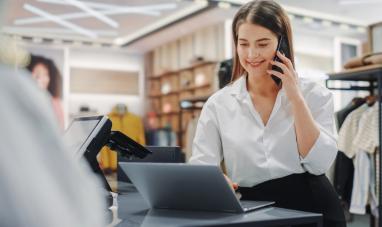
(373, 75)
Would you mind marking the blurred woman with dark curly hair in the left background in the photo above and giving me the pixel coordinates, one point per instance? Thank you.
(47, 76)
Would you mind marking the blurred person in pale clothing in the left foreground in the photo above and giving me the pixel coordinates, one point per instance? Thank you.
(41, 185)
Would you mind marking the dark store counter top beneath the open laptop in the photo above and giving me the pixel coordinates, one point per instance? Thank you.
(133, 211)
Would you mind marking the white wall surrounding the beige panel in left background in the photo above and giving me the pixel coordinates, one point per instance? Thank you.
(112, 60)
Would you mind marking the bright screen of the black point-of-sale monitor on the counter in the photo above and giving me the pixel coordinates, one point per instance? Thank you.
(80, 133)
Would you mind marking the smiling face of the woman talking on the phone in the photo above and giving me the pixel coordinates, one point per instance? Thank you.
(256, 47)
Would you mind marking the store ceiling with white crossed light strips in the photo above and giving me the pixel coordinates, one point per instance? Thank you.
(128, 22)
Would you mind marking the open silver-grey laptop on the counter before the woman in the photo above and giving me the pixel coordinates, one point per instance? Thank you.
(186, 187)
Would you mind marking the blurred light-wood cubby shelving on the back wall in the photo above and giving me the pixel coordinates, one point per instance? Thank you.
(166, 90)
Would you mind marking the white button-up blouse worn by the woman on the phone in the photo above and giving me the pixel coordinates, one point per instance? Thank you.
(229, 127)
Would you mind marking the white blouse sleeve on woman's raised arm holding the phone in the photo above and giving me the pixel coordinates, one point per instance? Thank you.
(324, 150)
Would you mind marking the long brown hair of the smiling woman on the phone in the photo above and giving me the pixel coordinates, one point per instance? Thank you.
(265, 13)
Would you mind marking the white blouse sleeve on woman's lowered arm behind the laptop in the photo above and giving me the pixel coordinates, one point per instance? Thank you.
(206, 147)
